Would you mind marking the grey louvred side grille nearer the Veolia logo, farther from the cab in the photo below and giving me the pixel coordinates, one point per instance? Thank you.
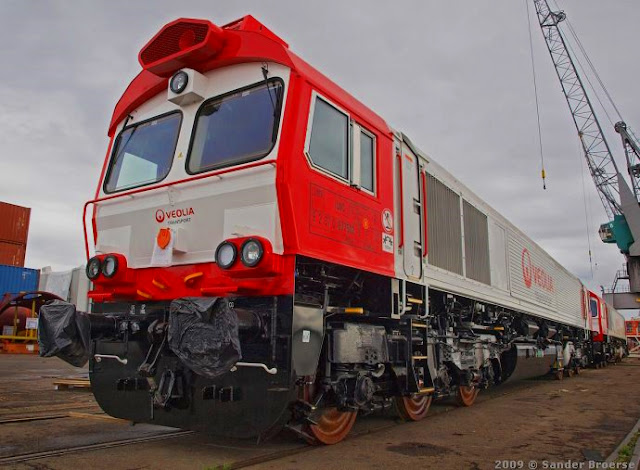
(476, 244)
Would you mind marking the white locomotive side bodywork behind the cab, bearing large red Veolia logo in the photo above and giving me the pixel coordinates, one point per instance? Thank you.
(523, 277)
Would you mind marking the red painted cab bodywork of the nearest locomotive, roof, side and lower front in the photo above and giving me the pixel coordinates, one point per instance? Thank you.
(321, 216)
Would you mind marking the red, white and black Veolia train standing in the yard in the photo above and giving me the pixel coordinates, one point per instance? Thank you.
(270, 253)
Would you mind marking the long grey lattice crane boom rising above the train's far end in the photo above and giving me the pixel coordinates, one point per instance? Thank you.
(602, 166)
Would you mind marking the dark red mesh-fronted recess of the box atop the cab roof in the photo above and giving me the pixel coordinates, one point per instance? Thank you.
(174, 39)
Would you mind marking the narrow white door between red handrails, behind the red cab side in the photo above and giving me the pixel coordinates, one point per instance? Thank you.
(411, 212)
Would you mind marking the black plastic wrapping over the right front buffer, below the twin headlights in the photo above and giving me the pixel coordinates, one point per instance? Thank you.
(203, 333)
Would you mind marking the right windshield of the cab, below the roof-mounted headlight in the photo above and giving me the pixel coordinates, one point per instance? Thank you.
(236, 128)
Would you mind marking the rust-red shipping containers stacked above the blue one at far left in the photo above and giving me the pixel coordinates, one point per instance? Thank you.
(14, 229)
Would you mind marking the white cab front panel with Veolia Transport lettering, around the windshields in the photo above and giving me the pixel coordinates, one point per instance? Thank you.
(200, 214)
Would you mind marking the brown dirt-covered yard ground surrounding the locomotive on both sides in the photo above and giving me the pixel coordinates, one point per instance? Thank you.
(529, 421)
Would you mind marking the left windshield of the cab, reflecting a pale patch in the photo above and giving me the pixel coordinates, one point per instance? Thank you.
(143, 153)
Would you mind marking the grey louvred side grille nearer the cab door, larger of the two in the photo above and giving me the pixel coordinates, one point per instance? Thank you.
(445, 231)
